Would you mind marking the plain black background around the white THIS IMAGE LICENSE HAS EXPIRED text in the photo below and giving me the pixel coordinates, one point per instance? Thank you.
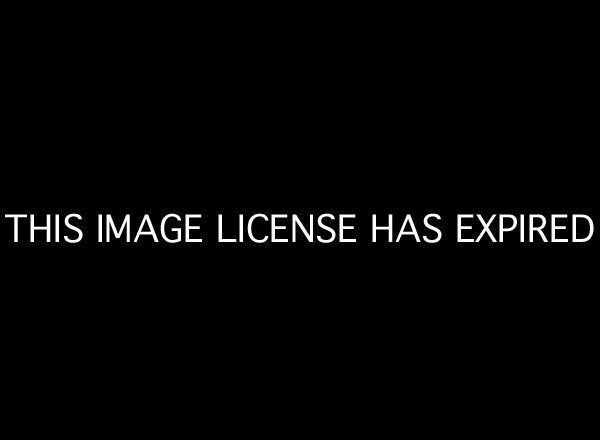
(368, 113)
